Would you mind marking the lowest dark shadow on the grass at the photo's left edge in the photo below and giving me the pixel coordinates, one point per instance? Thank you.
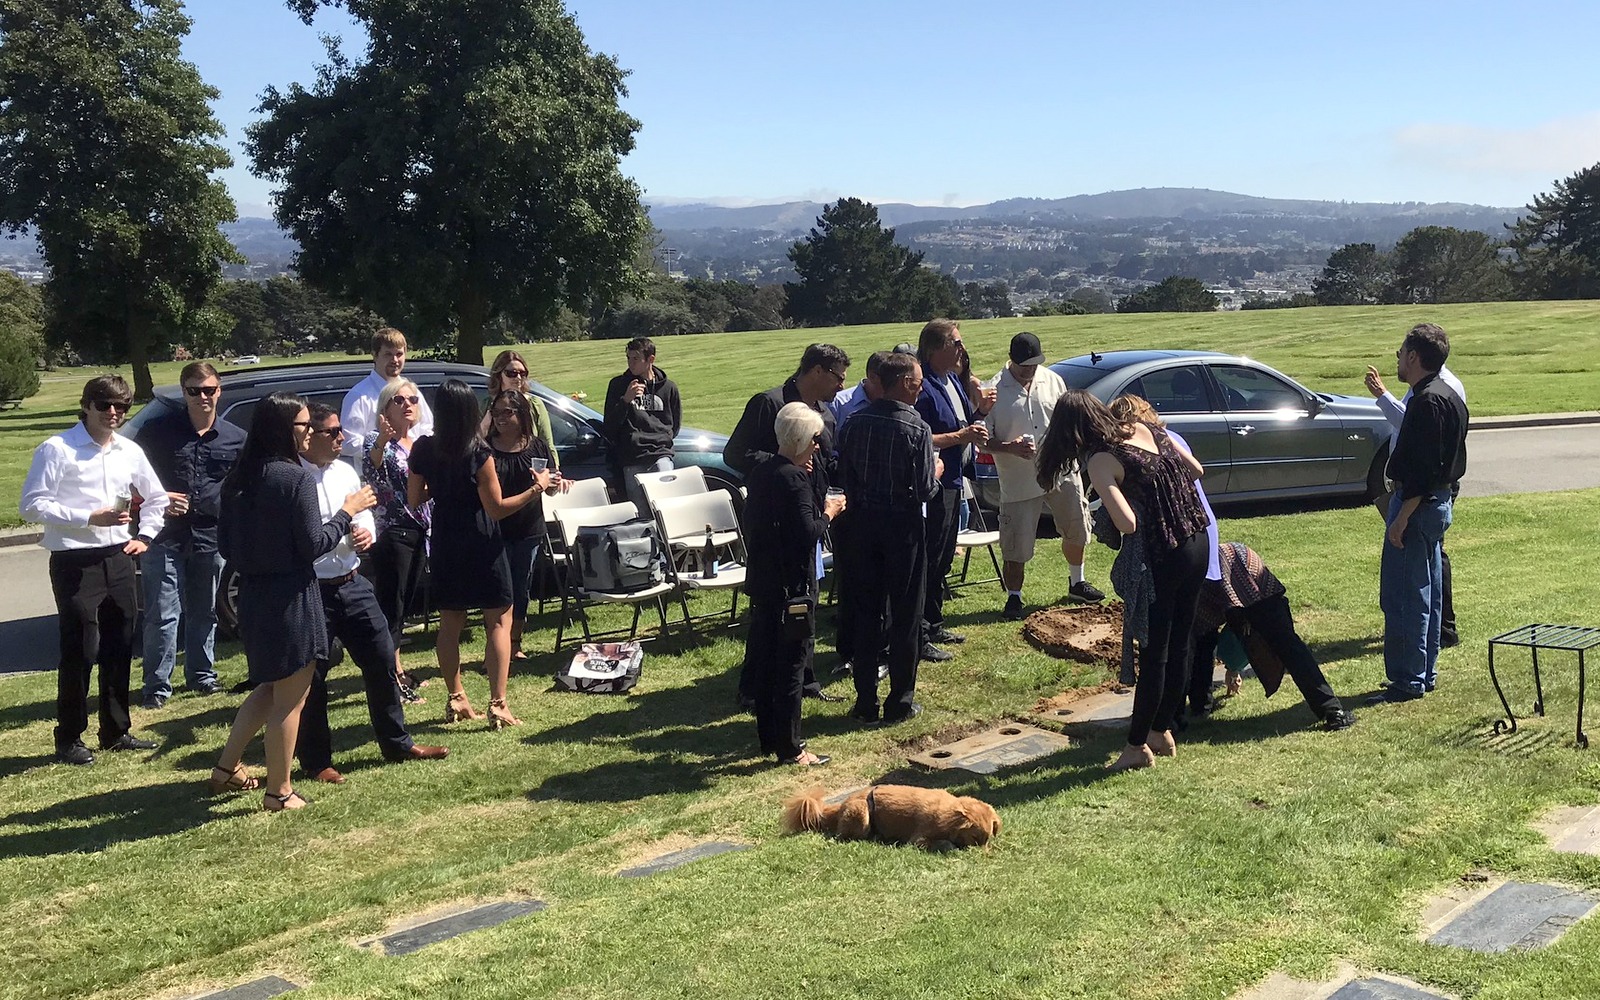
(105, 818)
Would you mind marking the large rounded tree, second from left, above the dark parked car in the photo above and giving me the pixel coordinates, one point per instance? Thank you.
(468, 169)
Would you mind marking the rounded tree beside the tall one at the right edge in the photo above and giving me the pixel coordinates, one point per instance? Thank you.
(1446, 265)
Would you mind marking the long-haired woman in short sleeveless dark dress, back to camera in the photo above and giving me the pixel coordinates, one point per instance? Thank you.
(470, 570)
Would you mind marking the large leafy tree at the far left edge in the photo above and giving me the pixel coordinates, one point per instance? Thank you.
(108, 146)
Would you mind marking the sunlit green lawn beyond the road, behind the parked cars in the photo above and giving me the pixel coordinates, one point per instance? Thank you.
(1516, 358)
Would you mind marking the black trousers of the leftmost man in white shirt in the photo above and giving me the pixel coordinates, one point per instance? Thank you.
(97, 601)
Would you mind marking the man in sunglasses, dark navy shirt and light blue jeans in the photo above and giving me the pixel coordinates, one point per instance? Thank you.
(191, 452)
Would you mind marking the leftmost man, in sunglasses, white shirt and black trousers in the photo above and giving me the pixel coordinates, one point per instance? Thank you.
(81, 489)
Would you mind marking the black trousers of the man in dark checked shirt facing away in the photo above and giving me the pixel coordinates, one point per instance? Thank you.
(889, 570)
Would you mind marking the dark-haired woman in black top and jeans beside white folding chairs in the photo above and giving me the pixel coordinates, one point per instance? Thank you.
(518, 449)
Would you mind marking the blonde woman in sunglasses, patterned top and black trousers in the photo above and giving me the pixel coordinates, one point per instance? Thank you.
(402, 530)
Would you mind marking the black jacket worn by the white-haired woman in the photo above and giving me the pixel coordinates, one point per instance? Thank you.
(783, 522)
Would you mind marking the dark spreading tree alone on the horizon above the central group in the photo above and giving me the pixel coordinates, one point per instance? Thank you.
(852, 271)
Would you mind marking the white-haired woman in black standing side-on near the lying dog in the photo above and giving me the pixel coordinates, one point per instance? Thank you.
(783, 522)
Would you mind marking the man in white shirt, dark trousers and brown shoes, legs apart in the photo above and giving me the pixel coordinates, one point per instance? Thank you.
(354, 618)
